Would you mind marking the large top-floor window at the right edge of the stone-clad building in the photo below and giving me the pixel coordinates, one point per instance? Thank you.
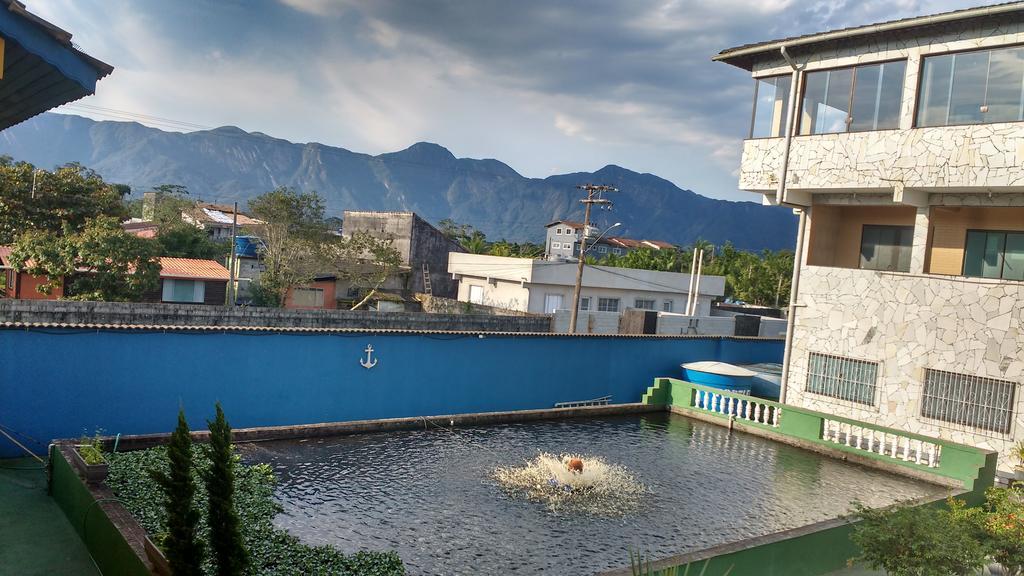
(973, 88)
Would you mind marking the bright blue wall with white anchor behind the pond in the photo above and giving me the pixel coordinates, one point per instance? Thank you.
(61, 384)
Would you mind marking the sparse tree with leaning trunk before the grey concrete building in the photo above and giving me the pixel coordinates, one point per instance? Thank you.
(365, 261)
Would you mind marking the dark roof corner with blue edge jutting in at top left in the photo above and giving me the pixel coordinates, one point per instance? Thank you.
(42, 69)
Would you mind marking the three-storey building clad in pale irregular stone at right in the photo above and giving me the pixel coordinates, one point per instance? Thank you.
(907, 167)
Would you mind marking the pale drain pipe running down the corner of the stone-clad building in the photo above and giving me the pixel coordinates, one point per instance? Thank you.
(781, 195)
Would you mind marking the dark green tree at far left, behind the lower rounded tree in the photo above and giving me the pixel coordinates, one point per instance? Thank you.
(54, 201)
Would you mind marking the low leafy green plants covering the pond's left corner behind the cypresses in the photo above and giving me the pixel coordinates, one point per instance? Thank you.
(273, 552)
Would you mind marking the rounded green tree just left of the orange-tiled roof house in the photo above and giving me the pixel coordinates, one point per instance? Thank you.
(99, 263)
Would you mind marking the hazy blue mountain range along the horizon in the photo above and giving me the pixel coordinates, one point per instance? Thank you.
(229, 164)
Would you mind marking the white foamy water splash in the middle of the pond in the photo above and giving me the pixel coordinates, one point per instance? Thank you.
(602, 488)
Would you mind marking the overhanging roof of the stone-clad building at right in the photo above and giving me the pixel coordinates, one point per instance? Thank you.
(745, 57)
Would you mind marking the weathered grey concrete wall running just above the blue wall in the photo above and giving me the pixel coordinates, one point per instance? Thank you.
(51, 312)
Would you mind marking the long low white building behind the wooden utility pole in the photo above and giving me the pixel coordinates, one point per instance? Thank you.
(545, 287)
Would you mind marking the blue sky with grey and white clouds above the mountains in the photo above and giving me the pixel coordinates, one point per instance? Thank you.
(546, 87)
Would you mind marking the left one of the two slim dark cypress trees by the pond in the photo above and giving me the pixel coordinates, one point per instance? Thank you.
(184, 550)
